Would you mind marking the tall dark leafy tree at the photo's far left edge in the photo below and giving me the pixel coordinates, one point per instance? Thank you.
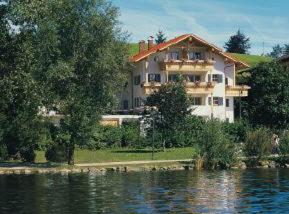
(20, 96)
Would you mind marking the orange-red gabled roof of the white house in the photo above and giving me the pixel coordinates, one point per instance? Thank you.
(142, 55)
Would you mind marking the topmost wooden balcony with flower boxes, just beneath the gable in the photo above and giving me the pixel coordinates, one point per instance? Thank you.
(187, 65)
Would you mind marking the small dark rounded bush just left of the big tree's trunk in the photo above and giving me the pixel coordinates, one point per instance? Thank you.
(56, 153)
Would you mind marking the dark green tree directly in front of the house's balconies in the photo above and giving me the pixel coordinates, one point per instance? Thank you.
(173, 106)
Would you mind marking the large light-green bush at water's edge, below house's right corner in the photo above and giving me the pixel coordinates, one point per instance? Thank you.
(216, 148)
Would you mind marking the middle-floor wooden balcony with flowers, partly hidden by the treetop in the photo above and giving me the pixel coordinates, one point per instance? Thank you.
(192, 88)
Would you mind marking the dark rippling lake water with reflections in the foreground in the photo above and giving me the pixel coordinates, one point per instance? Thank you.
(246, 191)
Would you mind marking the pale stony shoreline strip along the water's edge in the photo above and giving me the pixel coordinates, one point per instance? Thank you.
(124, 166)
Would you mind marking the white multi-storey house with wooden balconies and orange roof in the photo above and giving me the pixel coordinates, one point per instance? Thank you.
(210, 75)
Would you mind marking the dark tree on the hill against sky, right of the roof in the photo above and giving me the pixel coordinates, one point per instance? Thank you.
(238, 43)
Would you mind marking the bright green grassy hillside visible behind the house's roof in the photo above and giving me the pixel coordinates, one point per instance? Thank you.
(251, 60)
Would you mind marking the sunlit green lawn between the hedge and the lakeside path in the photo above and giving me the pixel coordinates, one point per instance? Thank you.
(116, 155)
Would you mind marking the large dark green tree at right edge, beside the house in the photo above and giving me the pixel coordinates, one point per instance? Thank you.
(267, 103)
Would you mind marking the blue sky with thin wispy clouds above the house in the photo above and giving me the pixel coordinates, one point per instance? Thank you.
(265, 22)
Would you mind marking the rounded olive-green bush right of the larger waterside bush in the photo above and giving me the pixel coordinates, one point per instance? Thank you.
(258, 143)
